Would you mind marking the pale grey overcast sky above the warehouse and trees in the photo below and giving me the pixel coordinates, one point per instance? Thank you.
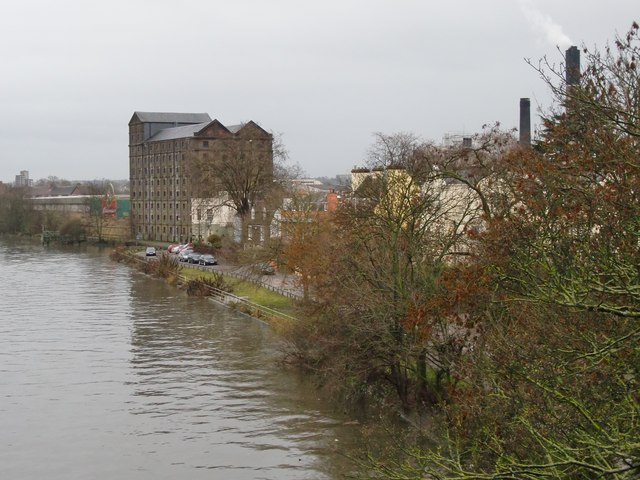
(326, 75)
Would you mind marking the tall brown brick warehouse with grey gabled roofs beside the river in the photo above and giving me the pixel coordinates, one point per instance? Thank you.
(162, 147)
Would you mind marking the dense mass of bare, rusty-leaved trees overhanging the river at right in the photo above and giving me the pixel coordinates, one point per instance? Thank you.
(494, 285)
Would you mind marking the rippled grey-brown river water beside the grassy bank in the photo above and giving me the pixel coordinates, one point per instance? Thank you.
(106, 373)
